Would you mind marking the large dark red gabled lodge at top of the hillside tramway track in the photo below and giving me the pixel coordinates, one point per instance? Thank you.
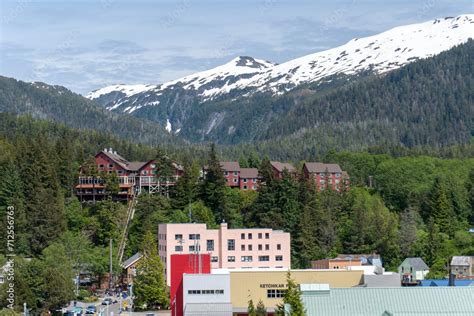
(133, 177)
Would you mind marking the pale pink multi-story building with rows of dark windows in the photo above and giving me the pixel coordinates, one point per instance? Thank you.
(229, 248)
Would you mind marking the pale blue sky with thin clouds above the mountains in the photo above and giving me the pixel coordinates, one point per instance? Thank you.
(85, 45)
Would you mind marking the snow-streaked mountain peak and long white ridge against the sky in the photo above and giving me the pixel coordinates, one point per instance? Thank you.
(169, 102)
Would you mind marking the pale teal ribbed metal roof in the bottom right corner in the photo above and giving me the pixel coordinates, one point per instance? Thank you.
(419, 301)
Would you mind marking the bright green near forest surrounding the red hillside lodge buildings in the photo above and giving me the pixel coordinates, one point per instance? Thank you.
(397, 206)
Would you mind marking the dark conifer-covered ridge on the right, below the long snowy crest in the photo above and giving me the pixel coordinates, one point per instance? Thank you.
(429, 102)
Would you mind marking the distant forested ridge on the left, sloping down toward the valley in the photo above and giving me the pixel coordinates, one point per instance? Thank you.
(58, 104)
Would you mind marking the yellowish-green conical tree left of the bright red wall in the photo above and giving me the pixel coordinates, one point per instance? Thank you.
(150, 284)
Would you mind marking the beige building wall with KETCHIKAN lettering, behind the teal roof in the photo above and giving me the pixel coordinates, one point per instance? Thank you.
(255, 284)
